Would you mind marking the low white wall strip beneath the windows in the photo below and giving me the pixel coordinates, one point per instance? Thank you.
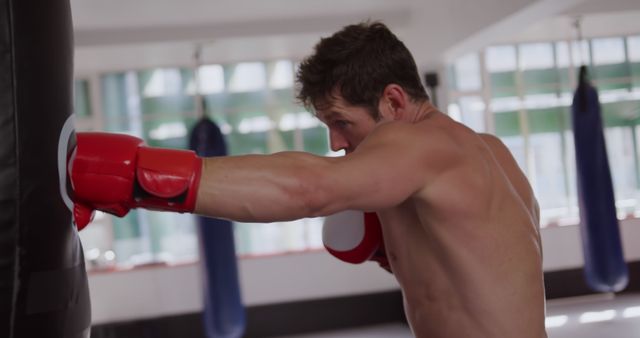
(160, 291)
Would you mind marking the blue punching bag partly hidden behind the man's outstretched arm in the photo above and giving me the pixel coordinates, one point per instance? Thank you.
(224, 315)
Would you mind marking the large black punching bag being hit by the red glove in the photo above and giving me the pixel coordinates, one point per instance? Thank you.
(43, 282)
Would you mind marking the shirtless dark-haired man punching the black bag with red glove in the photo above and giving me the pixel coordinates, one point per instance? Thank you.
(459, 219)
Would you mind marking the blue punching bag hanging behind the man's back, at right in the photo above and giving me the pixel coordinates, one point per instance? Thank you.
(605, 268)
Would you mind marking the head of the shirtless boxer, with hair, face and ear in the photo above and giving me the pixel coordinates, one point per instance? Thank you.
(354, 77)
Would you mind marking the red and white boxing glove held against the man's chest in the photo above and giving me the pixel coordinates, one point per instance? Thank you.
(355, 237)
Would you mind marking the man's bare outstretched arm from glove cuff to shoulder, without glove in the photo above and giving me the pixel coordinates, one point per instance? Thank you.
(384, 171)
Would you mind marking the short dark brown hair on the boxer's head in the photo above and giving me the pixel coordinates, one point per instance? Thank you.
(358, 61)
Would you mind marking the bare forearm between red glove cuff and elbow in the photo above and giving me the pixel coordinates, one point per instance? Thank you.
(263, 188)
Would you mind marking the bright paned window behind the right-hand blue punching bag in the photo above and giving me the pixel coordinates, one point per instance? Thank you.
(529, 90)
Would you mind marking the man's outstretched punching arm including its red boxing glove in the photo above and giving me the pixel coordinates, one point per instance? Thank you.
(115, 173)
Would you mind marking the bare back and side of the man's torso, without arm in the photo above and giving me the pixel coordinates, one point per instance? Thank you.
(466, 248)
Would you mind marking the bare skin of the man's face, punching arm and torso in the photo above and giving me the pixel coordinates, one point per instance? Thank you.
(459, 218)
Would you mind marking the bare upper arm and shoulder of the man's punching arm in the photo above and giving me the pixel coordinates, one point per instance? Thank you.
(399, 158)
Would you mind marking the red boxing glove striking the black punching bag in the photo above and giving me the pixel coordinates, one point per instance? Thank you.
(115, 173)
